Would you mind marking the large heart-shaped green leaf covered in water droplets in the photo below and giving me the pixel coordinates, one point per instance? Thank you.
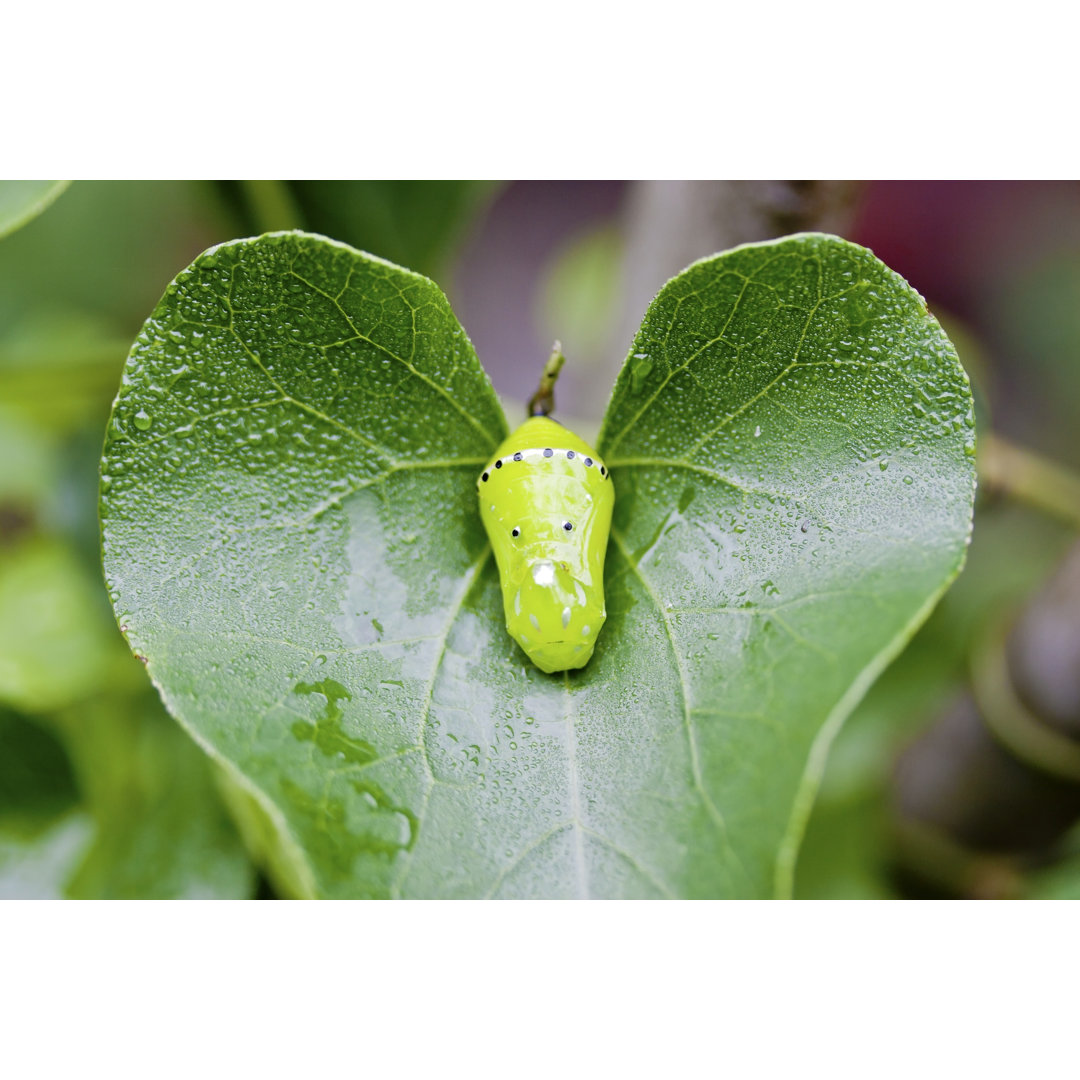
(292, 541)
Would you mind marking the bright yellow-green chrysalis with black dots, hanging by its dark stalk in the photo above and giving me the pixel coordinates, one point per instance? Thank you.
(546, 499)
